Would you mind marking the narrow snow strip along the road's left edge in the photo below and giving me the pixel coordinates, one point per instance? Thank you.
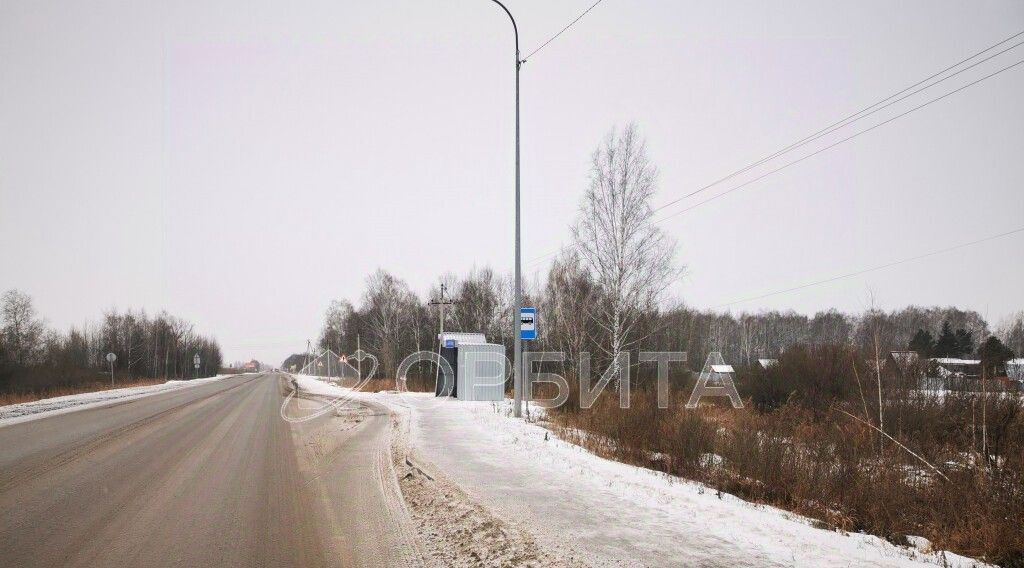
(14, 414)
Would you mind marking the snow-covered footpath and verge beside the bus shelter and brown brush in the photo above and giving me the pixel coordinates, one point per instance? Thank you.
(612, 513)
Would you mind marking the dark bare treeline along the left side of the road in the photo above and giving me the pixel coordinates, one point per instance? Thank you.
(34, 357)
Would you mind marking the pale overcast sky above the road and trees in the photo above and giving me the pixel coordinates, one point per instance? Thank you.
(195, 156)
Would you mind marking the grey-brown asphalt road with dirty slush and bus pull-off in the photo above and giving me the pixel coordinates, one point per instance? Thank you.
(203, 476)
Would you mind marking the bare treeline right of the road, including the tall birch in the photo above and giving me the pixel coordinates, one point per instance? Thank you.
(606, 293)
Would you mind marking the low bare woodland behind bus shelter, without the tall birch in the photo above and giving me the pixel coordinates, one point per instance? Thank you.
(393, 321)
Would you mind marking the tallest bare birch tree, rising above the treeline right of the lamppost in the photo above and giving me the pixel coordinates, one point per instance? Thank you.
(630, 260)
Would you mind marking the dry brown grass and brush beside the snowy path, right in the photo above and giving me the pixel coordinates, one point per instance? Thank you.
(803, 457)
